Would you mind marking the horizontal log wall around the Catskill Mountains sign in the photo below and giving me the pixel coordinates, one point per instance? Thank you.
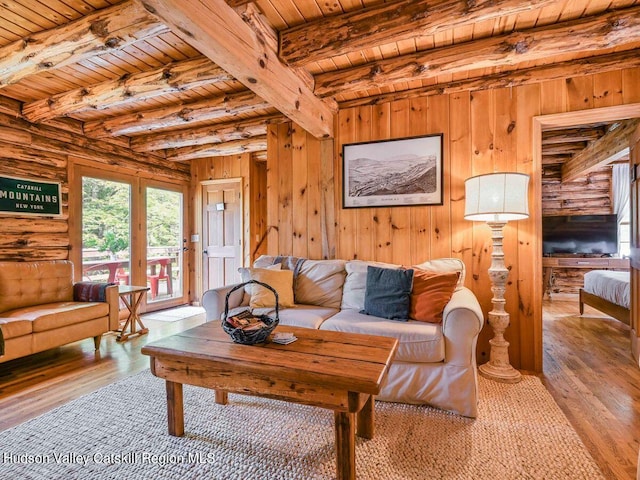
(43, 152)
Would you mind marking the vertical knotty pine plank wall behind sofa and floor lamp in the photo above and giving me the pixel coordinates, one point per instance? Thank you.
(483, 132)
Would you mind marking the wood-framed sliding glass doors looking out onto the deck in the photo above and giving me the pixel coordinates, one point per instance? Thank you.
(131, 232)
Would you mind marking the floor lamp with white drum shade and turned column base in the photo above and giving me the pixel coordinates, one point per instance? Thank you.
(496, 198)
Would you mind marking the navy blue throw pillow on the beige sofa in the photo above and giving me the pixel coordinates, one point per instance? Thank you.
(388, 293)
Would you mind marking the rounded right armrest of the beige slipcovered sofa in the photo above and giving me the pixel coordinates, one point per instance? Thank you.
(462, 321)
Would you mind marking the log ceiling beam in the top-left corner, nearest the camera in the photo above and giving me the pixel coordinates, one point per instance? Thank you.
(104, 31)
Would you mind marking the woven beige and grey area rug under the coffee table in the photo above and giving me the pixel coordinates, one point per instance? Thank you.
(120, 432)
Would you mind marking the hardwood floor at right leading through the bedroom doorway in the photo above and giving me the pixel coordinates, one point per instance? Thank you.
(589, 370)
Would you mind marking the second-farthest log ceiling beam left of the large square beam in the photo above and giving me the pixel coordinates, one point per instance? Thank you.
(217, 133)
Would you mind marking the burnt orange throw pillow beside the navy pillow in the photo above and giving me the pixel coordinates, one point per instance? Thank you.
(430, 294)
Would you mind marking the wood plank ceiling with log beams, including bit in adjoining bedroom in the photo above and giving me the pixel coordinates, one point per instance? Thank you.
(185, 79)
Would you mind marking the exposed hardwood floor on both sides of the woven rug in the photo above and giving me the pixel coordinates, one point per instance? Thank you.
(587, 368)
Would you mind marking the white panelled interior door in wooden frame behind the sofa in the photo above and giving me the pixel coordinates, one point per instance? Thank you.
(222, 222)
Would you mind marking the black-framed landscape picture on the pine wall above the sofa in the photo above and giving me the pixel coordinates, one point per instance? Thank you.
(392, 173)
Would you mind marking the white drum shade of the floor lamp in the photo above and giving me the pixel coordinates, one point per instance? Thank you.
(496, 197)
